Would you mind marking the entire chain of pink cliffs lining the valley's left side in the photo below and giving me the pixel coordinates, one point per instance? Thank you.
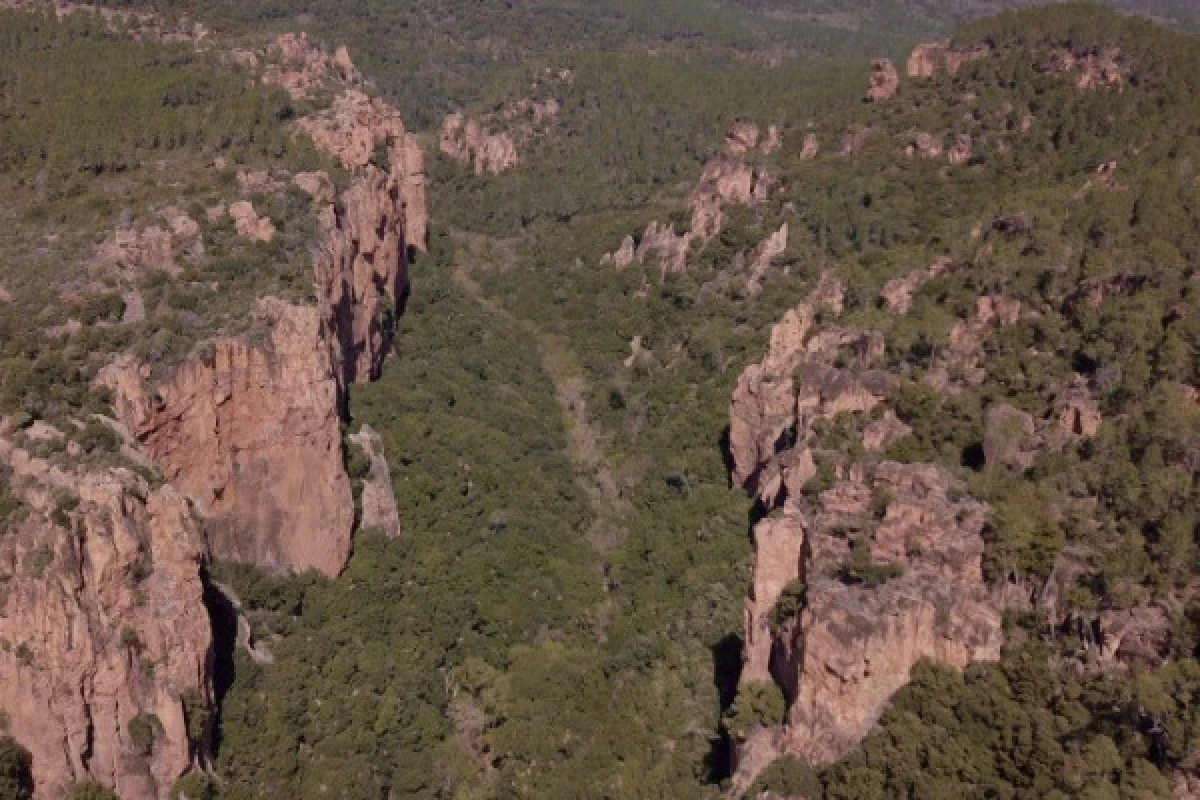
(107, 666)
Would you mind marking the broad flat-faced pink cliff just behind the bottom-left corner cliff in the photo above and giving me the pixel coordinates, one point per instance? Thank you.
(251, 434)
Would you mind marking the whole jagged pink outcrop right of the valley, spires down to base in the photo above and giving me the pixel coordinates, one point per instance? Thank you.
(857, 580)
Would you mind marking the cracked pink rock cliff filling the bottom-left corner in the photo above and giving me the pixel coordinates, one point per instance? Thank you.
(107, 649)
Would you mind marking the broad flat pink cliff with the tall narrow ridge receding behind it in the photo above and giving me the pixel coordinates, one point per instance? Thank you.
(253, 435)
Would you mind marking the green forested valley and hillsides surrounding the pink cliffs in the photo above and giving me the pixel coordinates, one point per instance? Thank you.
(1011, 224)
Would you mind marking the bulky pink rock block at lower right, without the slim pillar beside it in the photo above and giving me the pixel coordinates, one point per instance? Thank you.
(854, 645)
